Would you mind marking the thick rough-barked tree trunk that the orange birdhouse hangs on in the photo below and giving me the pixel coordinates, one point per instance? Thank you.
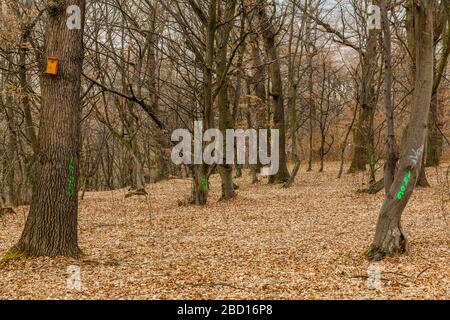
(51, 226)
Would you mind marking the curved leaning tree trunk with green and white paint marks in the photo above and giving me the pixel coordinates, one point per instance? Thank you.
(389, 237)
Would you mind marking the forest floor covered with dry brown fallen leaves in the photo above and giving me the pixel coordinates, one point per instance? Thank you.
(267, 243)
